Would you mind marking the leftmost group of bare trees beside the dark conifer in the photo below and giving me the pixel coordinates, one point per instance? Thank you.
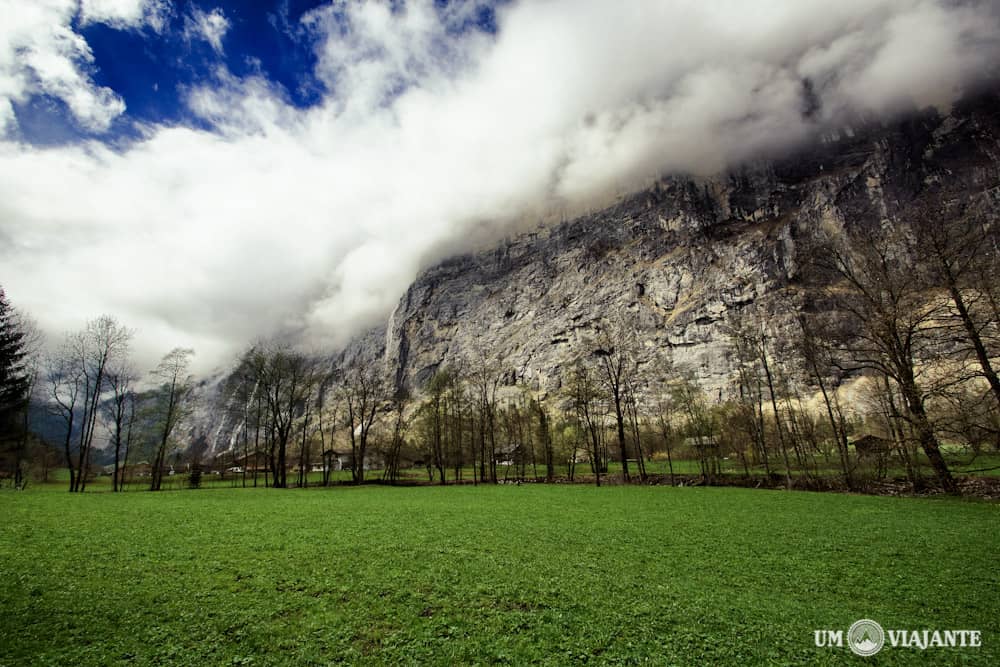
(82, 393)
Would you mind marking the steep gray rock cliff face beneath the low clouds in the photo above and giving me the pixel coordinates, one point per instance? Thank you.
(677, 260)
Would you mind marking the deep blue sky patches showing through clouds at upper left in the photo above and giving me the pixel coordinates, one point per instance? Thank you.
(151, 68)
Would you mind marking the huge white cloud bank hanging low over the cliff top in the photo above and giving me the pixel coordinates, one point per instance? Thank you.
(317, 219)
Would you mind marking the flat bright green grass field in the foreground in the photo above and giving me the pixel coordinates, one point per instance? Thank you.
(515, 574)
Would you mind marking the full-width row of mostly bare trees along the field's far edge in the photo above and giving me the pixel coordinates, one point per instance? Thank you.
(878, 354)
